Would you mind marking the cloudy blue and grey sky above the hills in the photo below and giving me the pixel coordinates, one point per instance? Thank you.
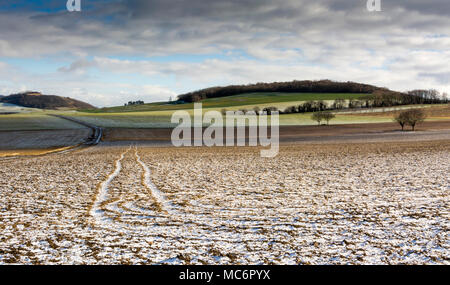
(112, 52)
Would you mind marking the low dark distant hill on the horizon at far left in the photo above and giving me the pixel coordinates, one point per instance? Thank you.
(33, 99)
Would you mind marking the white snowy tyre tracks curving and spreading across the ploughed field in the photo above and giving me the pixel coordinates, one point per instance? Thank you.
(110, 215)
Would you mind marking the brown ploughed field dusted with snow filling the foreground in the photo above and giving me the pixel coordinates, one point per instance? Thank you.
(383, 203)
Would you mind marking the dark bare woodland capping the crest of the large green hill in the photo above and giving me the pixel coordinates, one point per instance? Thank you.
(307, 86)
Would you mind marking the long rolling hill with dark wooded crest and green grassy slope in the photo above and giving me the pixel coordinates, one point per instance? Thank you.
(260, 94)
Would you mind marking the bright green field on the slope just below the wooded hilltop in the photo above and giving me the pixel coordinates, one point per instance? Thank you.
(244, 100)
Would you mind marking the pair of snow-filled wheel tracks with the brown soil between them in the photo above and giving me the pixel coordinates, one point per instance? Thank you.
(138, 203)
